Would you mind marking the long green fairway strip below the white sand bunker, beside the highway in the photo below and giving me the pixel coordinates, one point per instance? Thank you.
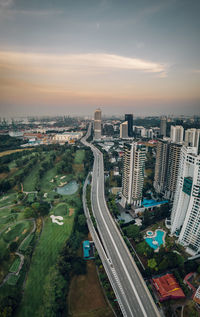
(51, 242)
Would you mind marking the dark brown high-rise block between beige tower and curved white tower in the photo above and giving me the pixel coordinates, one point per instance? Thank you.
(166, 168)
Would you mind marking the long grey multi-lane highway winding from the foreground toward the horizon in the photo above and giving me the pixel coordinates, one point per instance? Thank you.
(129, 287)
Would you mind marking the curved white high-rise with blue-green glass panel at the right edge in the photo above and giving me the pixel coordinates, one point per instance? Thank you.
(185, 217)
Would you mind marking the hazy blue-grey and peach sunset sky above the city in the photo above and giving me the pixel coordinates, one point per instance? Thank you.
(66, 57)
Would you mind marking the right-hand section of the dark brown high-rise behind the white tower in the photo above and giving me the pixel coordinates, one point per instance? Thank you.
(172, 169)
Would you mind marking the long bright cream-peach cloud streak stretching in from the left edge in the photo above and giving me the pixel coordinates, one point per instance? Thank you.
(80, 62)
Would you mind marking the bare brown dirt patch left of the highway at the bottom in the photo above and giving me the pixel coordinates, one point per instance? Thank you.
(86, 297)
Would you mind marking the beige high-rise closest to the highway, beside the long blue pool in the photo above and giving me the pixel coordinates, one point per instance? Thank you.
(133, 173)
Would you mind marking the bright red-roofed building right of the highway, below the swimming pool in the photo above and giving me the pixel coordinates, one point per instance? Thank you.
(167, 287)
